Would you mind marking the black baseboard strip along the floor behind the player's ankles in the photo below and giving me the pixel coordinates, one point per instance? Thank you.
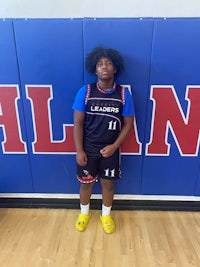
(53, 203)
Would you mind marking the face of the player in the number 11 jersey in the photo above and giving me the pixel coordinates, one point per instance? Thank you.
(105, 69)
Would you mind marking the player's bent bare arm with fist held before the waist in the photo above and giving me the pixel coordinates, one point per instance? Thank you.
(107, 151)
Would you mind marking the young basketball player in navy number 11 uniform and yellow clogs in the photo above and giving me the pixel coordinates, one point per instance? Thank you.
(103, 117)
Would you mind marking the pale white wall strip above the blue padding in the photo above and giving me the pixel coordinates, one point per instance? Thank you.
(90, 8)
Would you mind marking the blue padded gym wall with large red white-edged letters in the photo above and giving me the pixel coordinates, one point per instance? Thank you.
(42, 67)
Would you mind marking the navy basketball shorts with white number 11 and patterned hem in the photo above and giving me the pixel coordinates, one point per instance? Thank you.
(99, 166)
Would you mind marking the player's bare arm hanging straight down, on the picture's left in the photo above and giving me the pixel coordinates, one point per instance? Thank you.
(81, 156)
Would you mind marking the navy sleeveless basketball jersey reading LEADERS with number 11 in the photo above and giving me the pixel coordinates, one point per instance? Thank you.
(103, 117)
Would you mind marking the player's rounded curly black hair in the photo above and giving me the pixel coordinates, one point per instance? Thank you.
(99, 52)
